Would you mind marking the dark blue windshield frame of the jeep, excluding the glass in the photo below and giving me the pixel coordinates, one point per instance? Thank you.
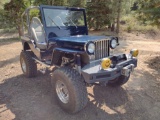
(63, 31)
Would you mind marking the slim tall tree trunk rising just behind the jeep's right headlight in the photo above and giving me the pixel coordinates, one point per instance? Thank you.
(118, 16)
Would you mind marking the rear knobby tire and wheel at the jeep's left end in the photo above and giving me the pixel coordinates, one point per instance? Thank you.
(28, 65)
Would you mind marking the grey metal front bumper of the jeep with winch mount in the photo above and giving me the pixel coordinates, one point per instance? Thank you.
(93, 73)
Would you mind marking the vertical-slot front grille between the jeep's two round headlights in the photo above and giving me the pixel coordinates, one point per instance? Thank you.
(102, 49)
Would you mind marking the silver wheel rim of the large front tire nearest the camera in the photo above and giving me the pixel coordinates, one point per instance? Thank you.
(62, 91)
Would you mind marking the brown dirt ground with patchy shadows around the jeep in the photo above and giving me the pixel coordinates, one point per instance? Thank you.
(31, 99)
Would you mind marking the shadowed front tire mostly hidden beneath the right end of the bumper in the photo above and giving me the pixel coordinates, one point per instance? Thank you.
(118, 81)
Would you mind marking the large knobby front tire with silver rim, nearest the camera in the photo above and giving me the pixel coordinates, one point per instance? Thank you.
(75, 92)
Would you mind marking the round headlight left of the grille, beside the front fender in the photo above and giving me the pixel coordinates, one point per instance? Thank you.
(90, 48)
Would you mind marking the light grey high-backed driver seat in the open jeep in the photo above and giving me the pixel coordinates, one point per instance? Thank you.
(37, 33)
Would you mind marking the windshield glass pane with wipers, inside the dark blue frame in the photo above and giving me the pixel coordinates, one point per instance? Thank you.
(59, 18)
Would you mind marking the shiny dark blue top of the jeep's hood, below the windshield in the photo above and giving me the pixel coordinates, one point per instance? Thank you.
(78, 38)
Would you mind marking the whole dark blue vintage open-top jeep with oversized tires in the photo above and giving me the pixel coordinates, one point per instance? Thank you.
(59, 37)
